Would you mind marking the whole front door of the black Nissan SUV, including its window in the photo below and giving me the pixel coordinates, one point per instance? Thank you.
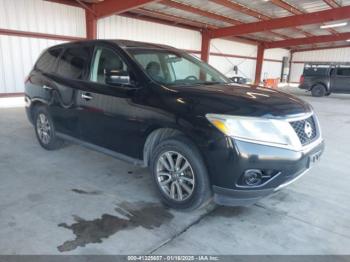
(107, 112)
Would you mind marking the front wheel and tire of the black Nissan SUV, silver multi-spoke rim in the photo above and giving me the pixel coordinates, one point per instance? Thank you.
(180, 174)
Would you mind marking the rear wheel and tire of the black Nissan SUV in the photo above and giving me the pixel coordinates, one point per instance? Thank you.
(45, 129)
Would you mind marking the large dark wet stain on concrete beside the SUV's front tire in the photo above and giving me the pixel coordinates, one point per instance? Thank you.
(132, 215)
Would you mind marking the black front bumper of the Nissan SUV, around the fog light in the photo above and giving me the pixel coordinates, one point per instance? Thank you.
(287, 164)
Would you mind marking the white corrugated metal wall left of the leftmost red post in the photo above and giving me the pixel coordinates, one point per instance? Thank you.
(18, 54)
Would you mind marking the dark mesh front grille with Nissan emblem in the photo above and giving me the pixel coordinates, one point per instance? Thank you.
(306, 130)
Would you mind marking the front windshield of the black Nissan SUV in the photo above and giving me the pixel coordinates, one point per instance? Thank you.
(176, 68)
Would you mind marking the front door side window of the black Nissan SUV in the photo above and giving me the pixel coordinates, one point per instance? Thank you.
(105, 60)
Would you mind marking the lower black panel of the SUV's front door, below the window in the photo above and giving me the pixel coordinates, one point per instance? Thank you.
(108, 121)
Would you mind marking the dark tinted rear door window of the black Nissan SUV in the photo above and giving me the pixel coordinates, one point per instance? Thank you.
(73, 62)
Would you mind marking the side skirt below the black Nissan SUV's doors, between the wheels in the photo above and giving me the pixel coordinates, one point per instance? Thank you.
(134, 161)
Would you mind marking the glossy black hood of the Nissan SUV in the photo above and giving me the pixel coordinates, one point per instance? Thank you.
(243, 100)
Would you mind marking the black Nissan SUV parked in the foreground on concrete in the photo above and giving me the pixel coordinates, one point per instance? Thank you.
(159, 107)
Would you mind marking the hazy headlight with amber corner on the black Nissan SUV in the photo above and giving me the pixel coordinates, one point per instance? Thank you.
(257, 130)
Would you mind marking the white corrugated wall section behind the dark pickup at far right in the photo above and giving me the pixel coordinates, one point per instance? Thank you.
(326, 55)
